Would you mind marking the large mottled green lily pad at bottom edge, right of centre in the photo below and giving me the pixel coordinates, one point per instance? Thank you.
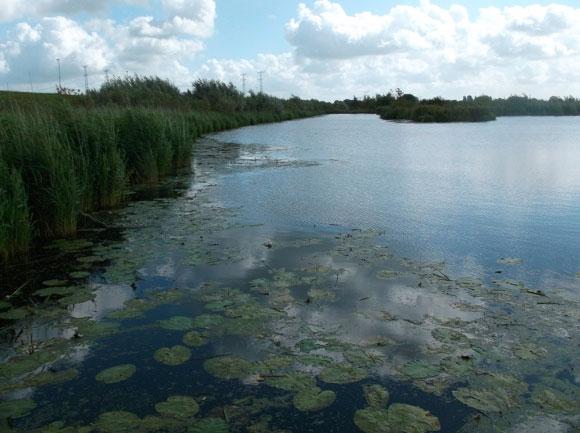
(398, 418)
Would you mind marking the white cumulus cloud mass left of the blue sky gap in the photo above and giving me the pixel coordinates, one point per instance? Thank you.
(141, 45)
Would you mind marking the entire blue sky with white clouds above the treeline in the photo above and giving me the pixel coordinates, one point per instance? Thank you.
(328, 49)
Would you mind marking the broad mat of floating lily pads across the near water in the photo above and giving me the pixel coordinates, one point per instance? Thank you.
(348, 313)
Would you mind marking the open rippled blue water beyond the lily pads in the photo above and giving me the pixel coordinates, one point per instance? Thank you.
(464, 193)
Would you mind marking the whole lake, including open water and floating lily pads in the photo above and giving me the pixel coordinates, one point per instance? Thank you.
(334, 274)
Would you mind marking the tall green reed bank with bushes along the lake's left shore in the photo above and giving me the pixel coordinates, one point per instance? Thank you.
(62, 156)
